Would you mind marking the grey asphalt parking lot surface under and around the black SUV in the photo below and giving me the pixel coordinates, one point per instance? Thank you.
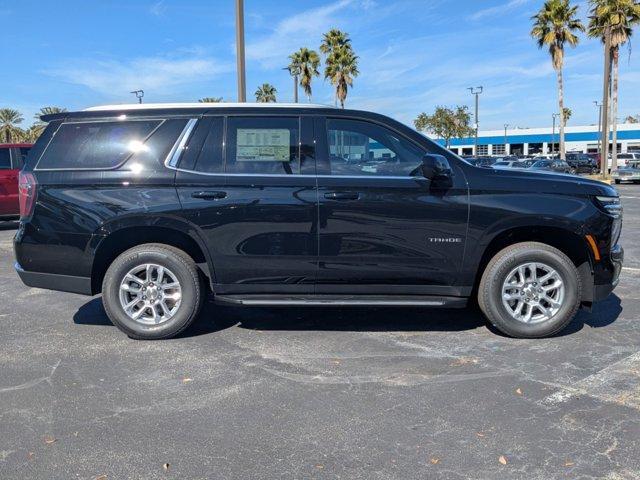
(318, 393)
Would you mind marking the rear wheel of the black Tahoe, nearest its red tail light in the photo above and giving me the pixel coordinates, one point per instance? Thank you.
(183, 302)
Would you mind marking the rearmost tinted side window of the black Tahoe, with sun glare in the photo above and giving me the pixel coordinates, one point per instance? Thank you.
(96, 145)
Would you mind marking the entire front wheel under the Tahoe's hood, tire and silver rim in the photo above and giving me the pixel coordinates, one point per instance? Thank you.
(530, 290)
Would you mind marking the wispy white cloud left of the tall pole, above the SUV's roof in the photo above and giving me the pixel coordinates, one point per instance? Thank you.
(160, 74)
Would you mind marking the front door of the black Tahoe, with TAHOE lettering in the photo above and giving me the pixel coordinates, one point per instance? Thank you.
(383, 229)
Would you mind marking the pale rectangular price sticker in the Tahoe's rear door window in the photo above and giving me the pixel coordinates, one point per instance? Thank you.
(263, 145)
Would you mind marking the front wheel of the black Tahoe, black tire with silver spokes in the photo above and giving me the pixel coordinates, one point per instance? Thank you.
(503, 265)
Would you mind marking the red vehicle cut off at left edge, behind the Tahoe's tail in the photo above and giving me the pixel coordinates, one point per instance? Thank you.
(12, 157)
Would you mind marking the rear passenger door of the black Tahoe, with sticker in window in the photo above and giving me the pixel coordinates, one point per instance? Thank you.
(248, 184)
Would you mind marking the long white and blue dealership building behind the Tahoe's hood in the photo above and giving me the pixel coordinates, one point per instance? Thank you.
(529, 141)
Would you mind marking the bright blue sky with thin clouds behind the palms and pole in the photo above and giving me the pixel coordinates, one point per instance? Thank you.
(414, 55)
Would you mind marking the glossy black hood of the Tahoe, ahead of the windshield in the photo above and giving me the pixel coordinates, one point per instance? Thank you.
(548, 182)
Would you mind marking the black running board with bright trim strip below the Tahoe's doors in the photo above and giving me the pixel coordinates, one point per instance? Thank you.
(342, 300)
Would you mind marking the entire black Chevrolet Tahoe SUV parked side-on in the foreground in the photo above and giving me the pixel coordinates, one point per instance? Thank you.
(157, 206)
